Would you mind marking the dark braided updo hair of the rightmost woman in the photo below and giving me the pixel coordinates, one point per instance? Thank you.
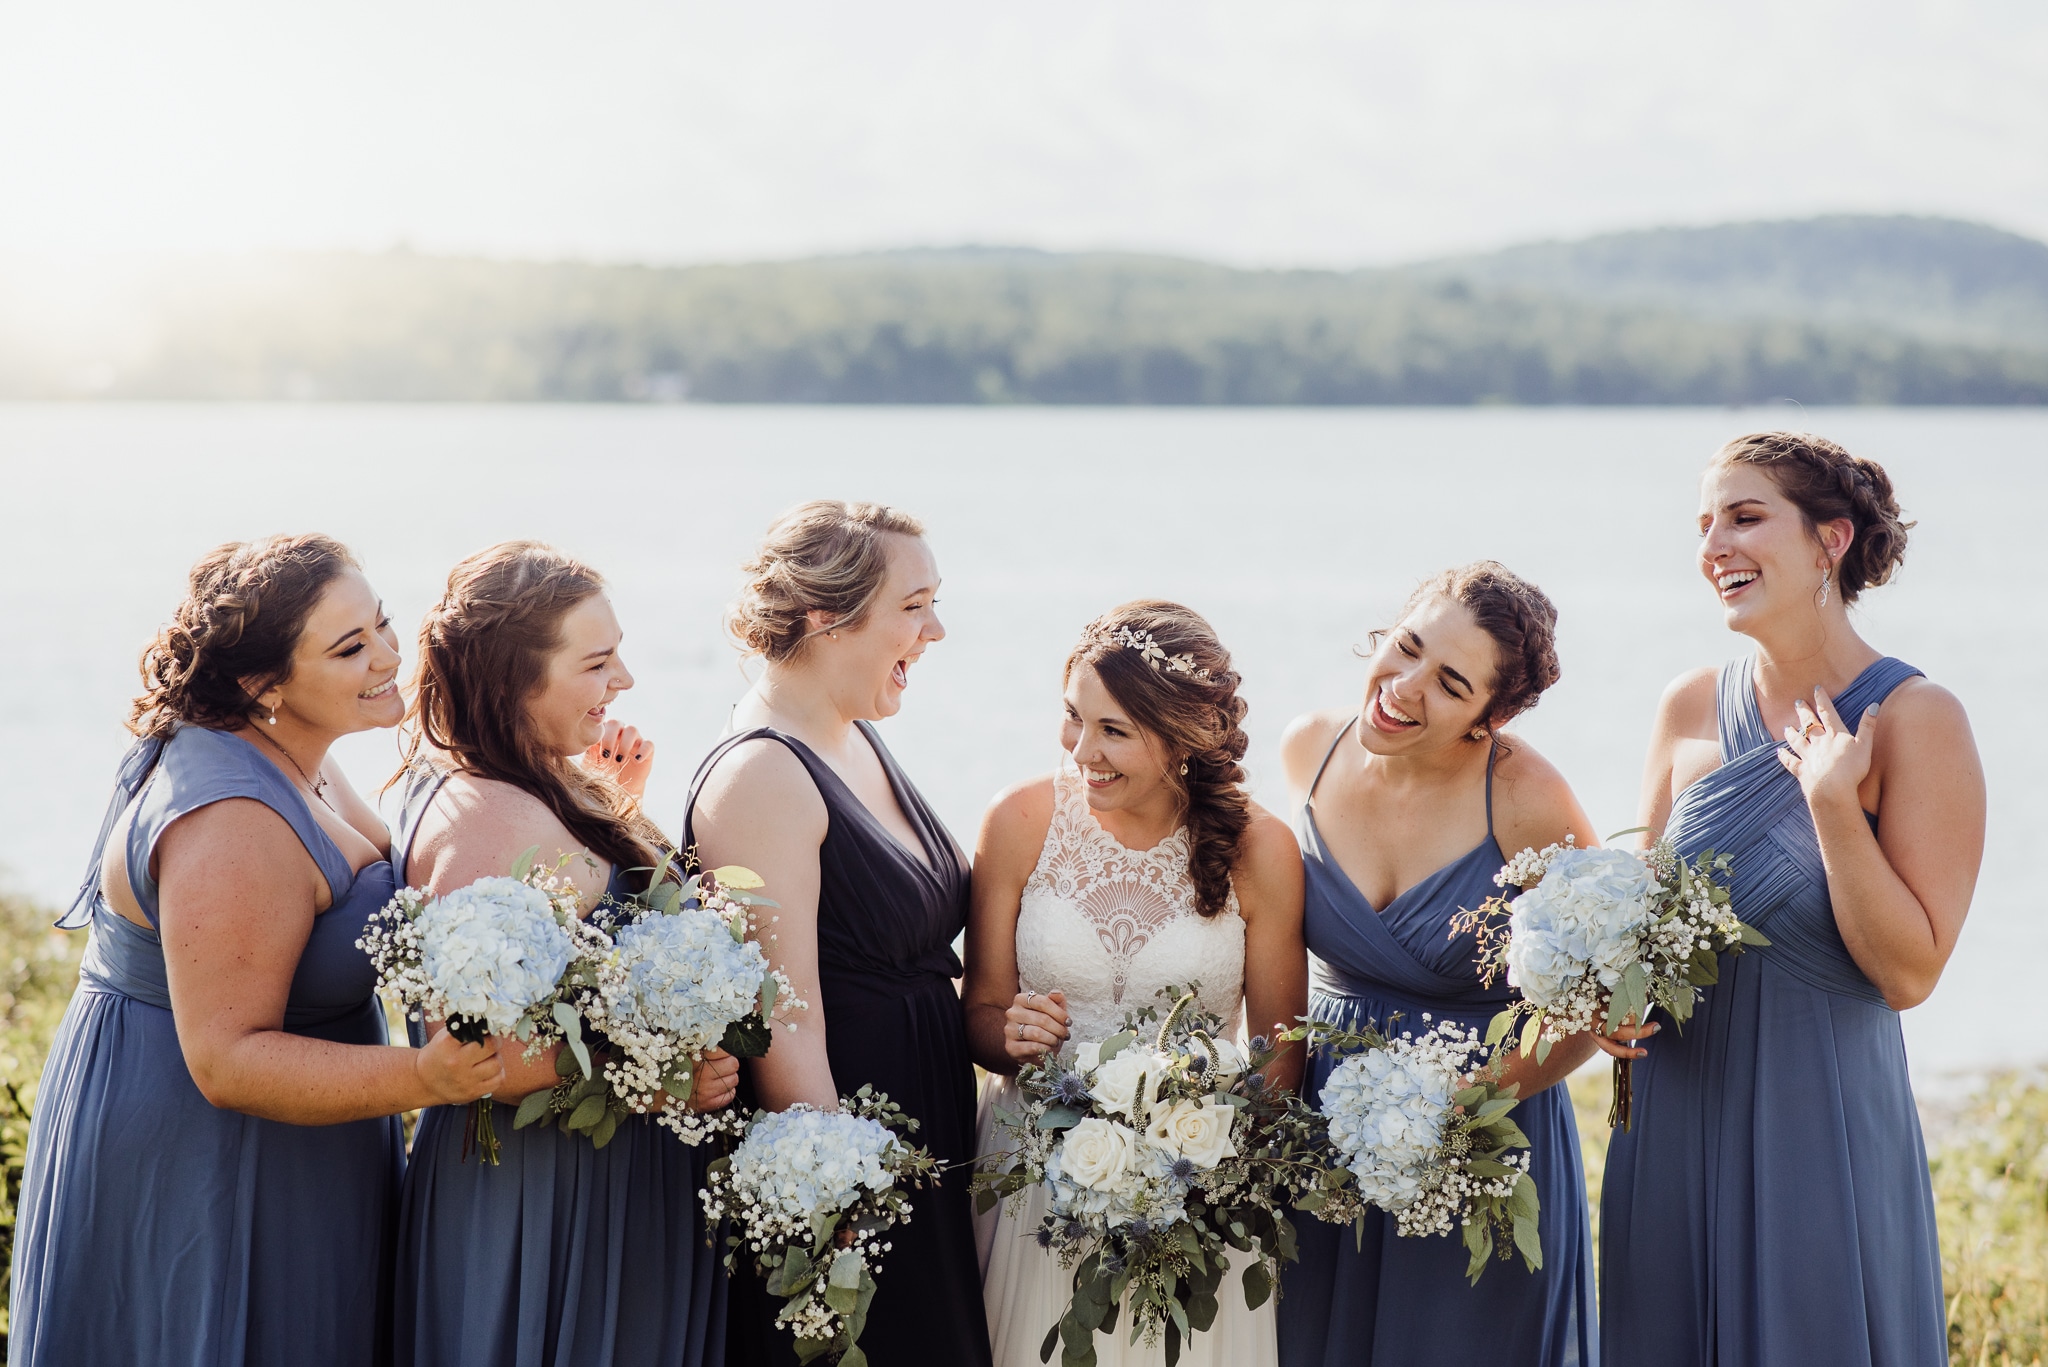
(1826, 485)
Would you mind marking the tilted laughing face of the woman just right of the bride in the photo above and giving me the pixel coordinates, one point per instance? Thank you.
(1431, 681)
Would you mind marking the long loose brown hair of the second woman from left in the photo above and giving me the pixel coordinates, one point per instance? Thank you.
(482, 657)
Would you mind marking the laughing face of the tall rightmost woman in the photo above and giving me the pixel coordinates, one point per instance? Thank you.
(1758, 552)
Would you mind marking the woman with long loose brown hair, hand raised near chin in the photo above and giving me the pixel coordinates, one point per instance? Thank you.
(564, 1253)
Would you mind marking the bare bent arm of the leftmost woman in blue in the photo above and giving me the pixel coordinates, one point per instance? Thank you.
(239, 897)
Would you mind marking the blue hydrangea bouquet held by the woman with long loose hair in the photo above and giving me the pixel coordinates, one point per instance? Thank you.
(677, 977)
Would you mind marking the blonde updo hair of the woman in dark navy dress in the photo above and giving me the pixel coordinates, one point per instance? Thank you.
(824, 556)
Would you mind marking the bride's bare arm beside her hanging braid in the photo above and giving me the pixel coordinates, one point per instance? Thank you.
(1277, 962)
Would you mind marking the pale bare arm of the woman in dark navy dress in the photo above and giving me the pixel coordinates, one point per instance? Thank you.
(761, 809)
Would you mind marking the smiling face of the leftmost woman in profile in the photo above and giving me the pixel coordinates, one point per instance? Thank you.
(345, 667)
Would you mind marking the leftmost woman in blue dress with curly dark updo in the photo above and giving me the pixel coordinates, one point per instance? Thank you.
(214, 1163)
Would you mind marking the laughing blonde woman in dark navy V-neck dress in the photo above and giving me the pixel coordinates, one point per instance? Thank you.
(873, 890)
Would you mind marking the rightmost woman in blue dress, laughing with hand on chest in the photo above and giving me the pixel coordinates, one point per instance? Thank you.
(1773, 1202)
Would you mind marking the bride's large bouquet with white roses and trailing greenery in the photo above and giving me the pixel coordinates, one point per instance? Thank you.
(1158, 1151)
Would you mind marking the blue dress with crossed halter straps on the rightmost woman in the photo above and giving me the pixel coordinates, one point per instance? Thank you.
(1773, 1204)
